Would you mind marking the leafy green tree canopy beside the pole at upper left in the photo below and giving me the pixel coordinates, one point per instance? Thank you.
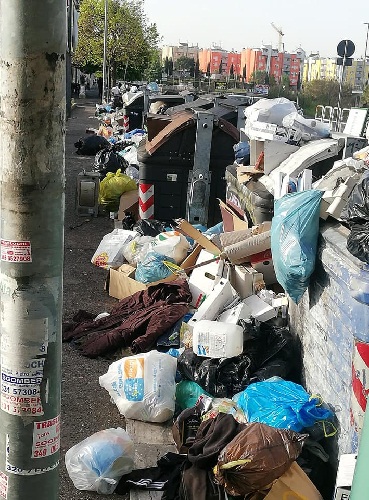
(130, 43)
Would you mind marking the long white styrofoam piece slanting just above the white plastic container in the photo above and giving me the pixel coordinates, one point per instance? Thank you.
(221, 296)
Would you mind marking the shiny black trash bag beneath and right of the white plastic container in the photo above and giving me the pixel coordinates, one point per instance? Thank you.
(268, 351)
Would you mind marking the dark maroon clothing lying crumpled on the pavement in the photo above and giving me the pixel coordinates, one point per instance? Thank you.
(135, 322)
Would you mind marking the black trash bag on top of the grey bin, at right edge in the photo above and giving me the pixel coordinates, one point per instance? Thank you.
(356, 214)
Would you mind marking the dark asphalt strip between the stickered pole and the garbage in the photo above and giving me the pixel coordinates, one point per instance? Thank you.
(86, 407)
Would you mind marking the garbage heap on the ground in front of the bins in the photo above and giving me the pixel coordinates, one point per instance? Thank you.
(198, 338)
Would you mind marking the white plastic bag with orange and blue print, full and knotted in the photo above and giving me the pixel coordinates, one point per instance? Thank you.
(143, 386)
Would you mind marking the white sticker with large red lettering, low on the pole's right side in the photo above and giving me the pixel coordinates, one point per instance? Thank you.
(46, 438)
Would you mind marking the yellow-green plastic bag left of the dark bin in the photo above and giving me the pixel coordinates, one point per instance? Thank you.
(112, 188)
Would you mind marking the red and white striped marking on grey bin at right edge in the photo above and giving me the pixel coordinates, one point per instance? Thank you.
(360, 383)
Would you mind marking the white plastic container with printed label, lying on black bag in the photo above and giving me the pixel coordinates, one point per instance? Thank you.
(212, 339)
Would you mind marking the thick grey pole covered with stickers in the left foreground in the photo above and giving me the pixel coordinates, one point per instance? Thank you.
(32, 128)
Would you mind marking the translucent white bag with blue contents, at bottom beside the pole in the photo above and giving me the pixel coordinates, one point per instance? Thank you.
(98, 462)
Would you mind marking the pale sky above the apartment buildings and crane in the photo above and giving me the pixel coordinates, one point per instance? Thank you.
(314, 25)
